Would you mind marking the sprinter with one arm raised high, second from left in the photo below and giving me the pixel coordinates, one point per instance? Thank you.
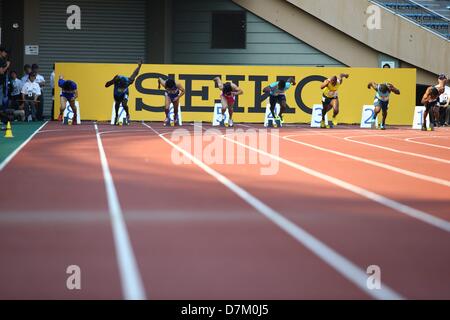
(121, 84)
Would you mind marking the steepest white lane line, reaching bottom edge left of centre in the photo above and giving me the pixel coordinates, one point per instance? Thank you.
(132, 286)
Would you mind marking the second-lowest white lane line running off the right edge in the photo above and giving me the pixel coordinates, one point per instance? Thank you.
(416, 175)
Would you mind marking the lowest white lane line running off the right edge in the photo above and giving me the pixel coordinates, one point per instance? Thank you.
(397, 206)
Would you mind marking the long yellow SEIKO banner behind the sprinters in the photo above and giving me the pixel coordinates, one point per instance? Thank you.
(146, 101)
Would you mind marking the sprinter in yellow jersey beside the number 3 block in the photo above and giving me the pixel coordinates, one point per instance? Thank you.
(330, 97)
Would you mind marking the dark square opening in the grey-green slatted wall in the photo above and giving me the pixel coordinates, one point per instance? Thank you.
(228, 30)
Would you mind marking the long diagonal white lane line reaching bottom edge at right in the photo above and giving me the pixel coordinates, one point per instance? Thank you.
(338, 262)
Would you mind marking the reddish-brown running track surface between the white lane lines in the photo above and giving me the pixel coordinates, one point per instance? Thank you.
(195, 239)
